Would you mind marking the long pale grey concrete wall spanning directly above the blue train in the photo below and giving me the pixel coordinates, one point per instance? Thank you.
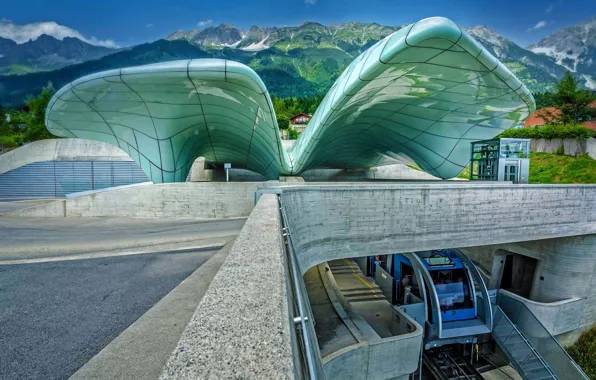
(329, 223)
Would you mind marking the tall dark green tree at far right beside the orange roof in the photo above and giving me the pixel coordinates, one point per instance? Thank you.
(574, 103)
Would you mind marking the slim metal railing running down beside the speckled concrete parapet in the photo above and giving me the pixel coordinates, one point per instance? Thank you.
(308, 362)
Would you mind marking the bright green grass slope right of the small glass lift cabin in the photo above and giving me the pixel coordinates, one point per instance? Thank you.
(553, 168)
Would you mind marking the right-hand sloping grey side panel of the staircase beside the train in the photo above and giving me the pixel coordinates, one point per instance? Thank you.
(540, 338)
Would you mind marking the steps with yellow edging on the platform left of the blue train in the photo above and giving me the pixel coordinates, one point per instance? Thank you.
(354, 285)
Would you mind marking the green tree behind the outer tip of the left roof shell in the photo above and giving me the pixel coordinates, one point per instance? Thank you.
(32, 118)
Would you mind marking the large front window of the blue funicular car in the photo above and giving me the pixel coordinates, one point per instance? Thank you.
(453, 289)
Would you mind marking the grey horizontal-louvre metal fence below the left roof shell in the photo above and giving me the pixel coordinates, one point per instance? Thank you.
(55, 179)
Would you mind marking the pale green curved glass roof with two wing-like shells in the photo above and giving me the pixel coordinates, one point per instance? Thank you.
(419, 96)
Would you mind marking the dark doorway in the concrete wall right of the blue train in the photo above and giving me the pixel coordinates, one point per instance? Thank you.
(518, 274)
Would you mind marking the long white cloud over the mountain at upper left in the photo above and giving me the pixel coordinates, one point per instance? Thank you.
(23, 33)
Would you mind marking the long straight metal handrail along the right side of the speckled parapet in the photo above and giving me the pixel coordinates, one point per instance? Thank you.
(304, 320)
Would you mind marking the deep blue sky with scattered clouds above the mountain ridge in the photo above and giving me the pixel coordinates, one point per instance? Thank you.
(118, 23)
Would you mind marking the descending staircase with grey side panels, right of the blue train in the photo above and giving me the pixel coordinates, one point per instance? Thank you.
(528, 345)
